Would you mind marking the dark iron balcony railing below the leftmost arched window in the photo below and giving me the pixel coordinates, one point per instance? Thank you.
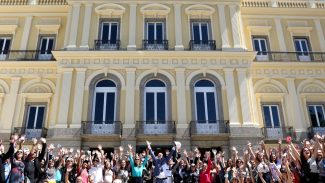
(101, 128)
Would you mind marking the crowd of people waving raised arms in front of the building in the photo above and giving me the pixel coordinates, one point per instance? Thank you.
(286, 163)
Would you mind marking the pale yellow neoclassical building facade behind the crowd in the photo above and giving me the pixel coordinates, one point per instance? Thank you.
(211, 73)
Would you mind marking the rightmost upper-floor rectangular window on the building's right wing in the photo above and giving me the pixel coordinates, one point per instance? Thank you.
(302, 49)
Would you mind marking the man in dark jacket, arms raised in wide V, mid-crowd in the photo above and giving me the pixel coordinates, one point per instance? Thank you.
(161, 170)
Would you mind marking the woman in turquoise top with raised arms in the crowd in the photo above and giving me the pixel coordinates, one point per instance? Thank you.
(137, 166)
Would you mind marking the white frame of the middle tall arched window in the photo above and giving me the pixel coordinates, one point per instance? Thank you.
(155, 90)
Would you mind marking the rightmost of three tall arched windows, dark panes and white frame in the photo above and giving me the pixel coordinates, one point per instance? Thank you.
(205, 101)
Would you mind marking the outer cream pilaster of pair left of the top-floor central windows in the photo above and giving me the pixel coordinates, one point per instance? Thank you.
(74, 26)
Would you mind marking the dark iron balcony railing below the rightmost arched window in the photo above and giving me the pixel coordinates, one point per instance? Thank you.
(210, 127)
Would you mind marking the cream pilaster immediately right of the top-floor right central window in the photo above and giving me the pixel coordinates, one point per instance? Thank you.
(223, 26)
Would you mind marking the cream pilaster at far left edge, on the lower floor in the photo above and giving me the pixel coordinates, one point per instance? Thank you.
(10, 105)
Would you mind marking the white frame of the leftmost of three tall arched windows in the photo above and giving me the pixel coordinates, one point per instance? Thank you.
(105, 90)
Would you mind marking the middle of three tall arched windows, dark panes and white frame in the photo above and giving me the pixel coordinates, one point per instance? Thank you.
(155, 101)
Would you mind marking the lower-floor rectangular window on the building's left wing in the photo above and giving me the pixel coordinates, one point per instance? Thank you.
(35, 116)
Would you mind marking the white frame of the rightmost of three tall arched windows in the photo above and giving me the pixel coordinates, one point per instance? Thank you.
(205, 90)
